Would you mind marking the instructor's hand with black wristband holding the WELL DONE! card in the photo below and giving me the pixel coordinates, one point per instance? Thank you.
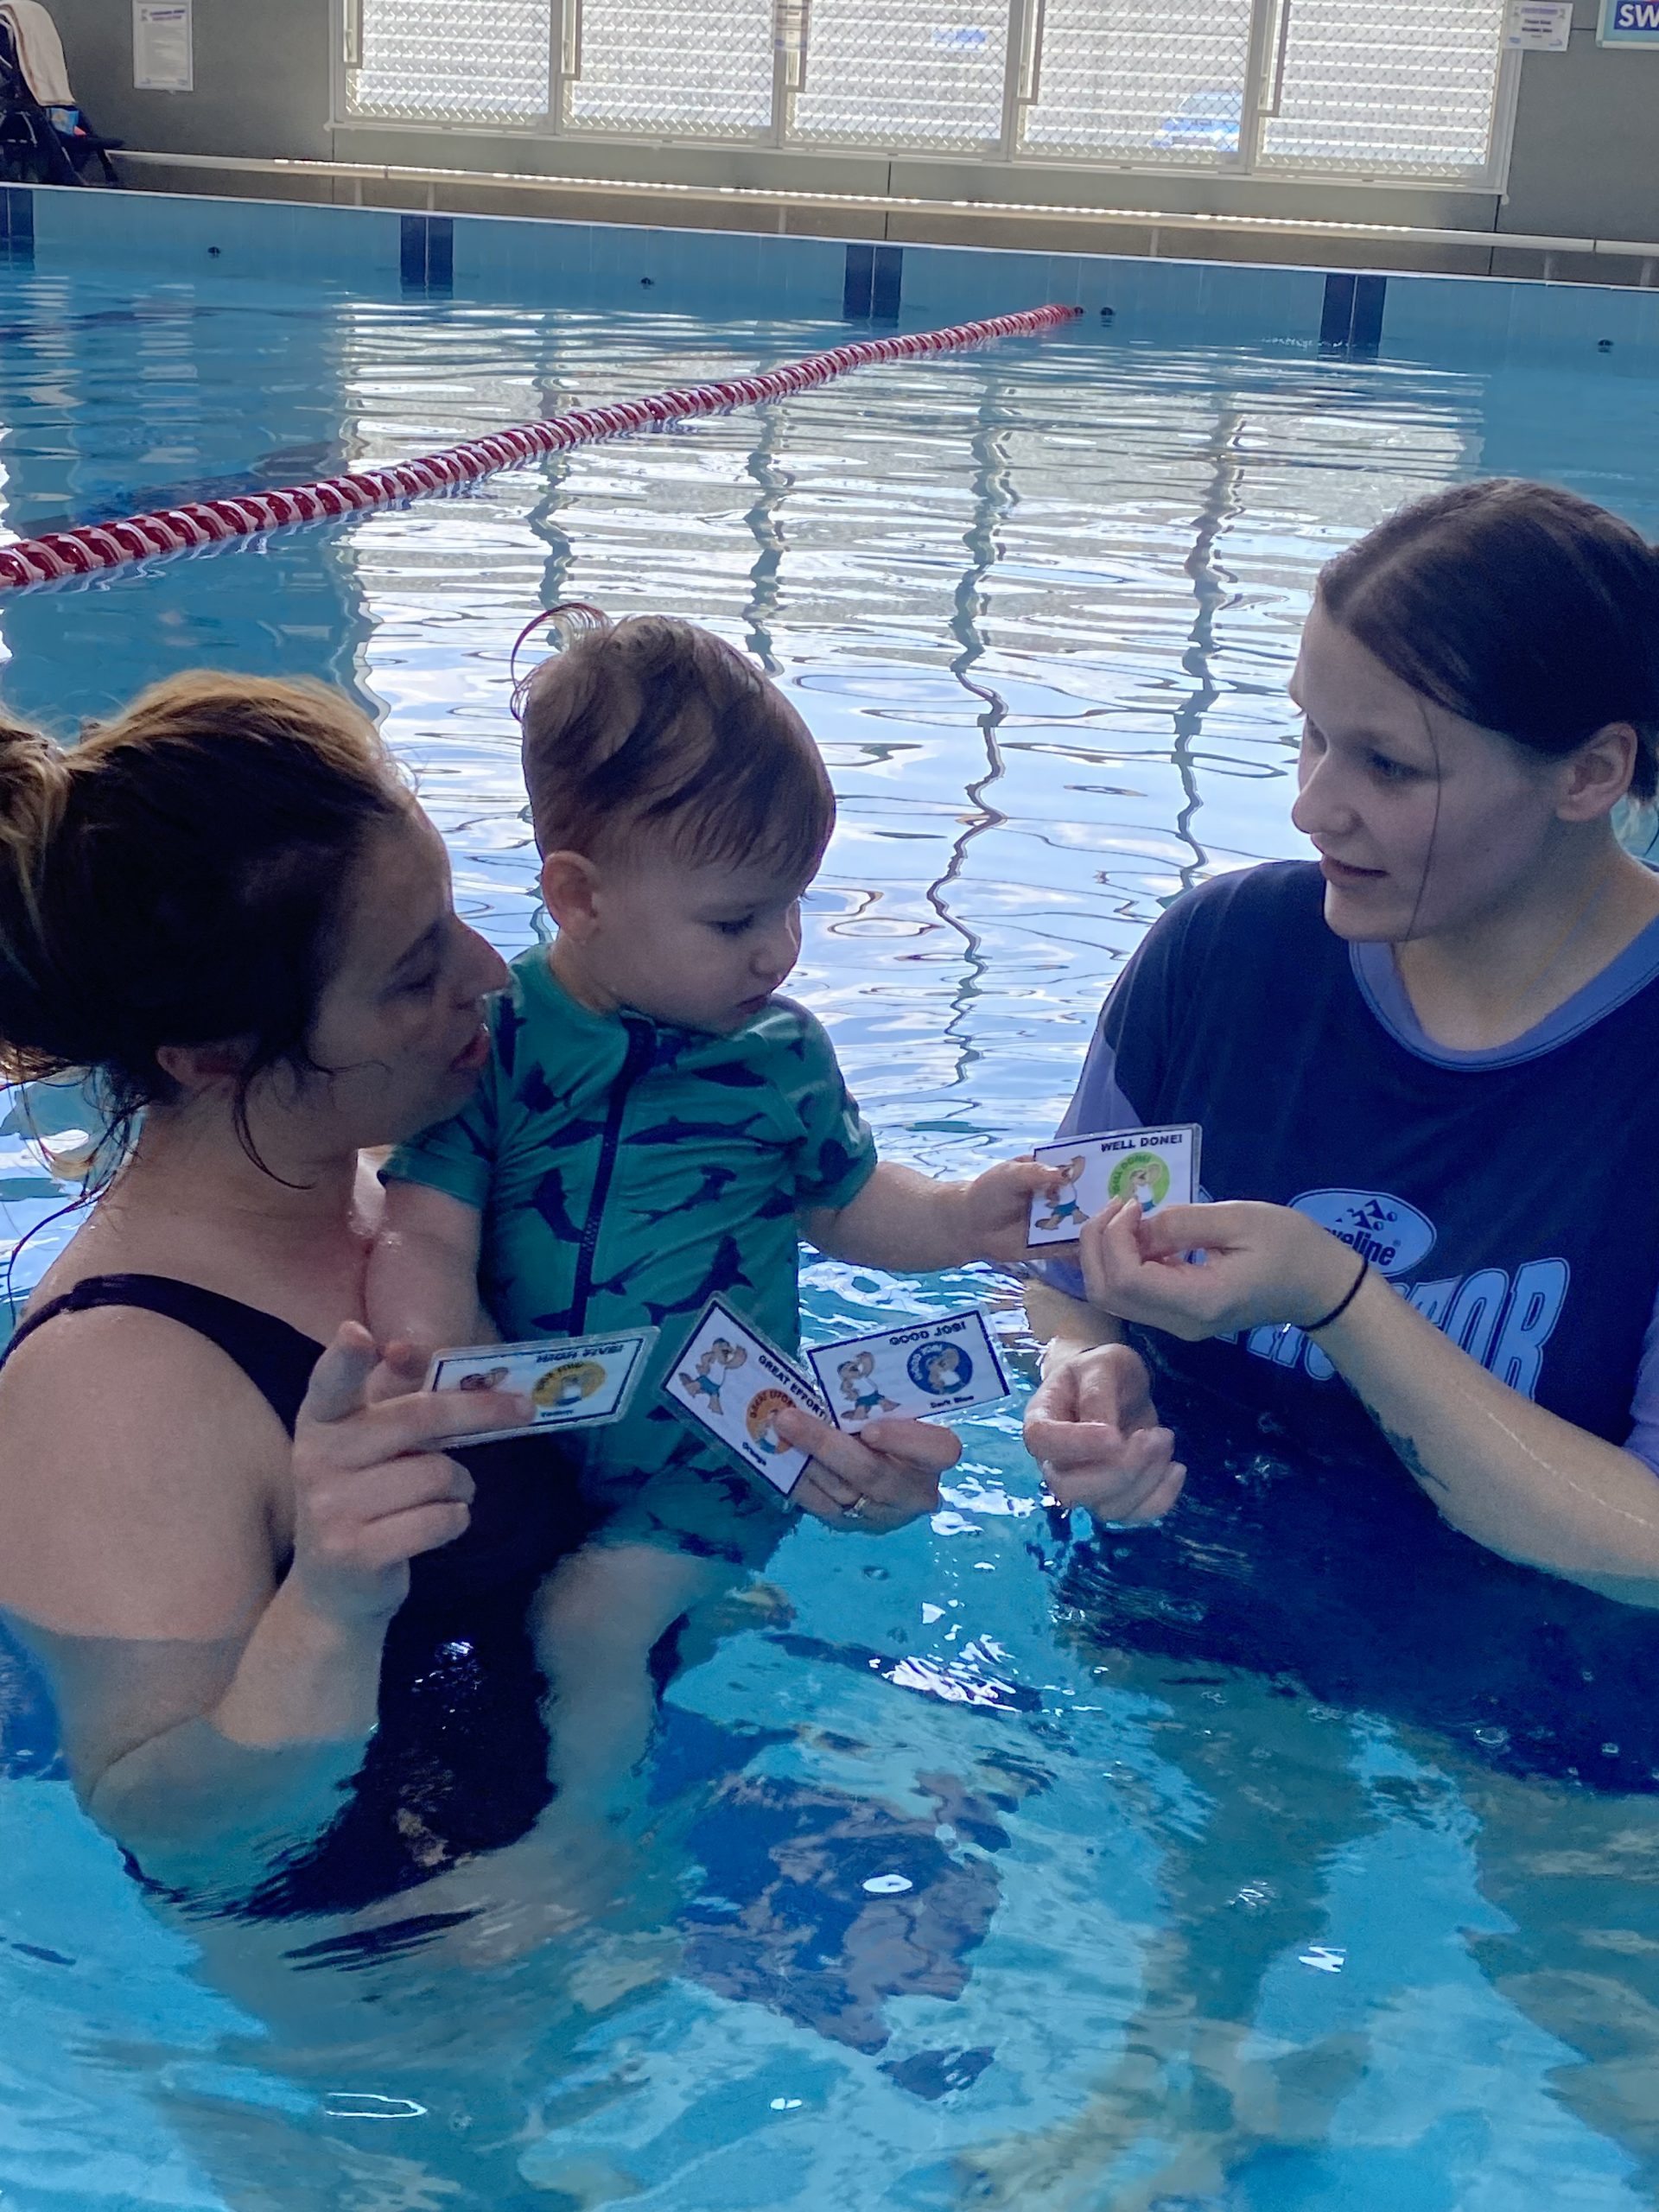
(1262, 1266)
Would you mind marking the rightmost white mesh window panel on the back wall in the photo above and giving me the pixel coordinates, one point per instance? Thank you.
(1406, 94)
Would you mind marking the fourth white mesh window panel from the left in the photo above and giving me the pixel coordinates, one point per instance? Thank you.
(1149, 81)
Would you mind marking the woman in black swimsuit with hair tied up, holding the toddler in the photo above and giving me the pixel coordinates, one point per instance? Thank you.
(271, 1603)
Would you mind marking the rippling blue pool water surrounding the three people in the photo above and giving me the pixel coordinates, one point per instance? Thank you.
(959, 1888)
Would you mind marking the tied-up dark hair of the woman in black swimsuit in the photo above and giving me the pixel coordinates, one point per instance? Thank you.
(178, 879)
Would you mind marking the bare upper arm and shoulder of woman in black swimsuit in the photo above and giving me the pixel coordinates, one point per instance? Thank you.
(138, 1477)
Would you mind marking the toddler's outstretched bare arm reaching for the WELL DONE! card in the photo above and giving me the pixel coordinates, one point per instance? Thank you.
(906, 1220)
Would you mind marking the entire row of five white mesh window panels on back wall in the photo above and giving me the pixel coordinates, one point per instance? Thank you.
(1304, 87)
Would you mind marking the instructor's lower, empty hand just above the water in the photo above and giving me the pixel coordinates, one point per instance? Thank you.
(1094, 1432)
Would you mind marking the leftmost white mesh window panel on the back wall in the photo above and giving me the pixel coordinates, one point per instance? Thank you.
(452, 61)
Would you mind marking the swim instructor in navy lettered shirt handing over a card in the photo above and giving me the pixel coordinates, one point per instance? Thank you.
(1426, 1070)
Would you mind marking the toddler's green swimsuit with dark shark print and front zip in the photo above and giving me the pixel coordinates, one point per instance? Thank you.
(627, 1173)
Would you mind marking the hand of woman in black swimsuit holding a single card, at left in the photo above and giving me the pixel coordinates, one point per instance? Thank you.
(373, 1488)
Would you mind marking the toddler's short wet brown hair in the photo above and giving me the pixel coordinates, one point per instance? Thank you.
(654, 729)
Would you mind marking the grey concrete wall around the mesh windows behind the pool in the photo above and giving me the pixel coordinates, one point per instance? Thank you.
(1585, 163)
